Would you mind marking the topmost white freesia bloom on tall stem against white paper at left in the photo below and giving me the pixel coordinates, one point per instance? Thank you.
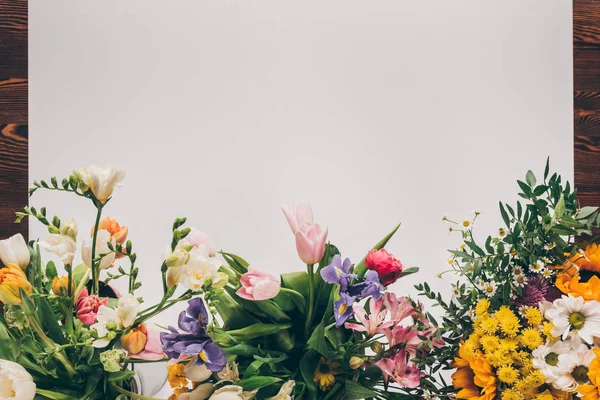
(100, 181)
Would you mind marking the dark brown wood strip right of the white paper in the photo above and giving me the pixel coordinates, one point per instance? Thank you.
(586, 113)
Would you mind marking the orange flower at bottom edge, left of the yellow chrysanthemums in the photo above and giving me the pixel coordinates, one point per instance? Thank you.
(474, 377)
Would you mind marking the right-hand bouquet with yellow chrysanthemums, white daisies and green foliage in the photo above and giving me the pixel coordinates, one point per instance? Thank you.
(524, 321)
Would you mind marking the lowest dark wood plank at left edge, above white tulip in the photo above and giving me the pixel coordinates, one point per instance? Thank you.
(13, 177)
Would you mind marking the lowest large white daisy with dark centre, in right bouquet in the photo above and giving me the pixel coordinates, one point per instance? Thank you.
(573, 368)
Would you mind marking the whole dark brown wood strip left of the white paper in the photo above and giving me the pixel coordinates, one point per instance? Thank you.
(13, 114)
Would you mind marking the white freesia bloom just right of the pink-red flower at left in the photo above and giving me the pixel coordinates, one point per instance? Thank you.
(121, 317)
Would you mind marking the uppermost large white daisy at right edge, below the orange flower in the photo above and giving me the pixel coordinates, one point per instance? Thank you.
(571, 313)
